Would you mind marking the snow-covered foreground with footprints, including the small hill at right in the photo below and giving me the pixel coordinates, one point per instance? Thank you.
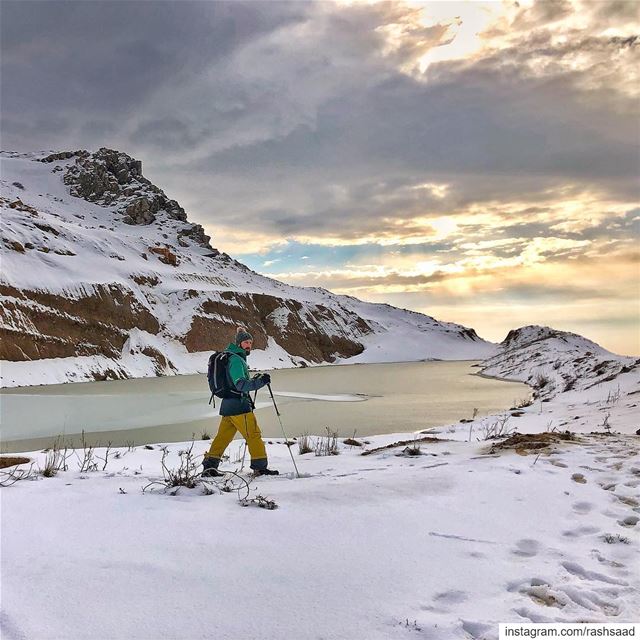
(444, 545)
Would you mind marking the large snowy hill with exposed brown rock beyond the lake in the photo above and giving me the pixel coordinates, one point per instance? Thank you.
(103, 276)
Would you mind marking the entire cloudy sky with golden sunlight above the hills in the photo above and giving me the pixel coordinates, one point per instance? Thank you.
(475, 161)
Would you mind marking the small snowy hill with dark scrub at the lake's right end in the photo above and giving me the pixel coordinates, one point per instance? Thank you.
(577, 386)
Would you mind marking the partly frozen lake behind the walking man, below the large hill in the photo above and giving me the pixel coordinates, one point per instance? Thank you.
(366, 398)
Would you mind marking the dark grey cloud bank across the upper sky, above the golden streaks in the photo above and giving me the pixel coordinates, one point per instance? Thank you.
(297, 117)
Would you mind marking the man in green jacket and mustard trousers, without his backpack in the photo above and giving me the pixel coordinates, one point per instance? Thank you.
(237, 411)
